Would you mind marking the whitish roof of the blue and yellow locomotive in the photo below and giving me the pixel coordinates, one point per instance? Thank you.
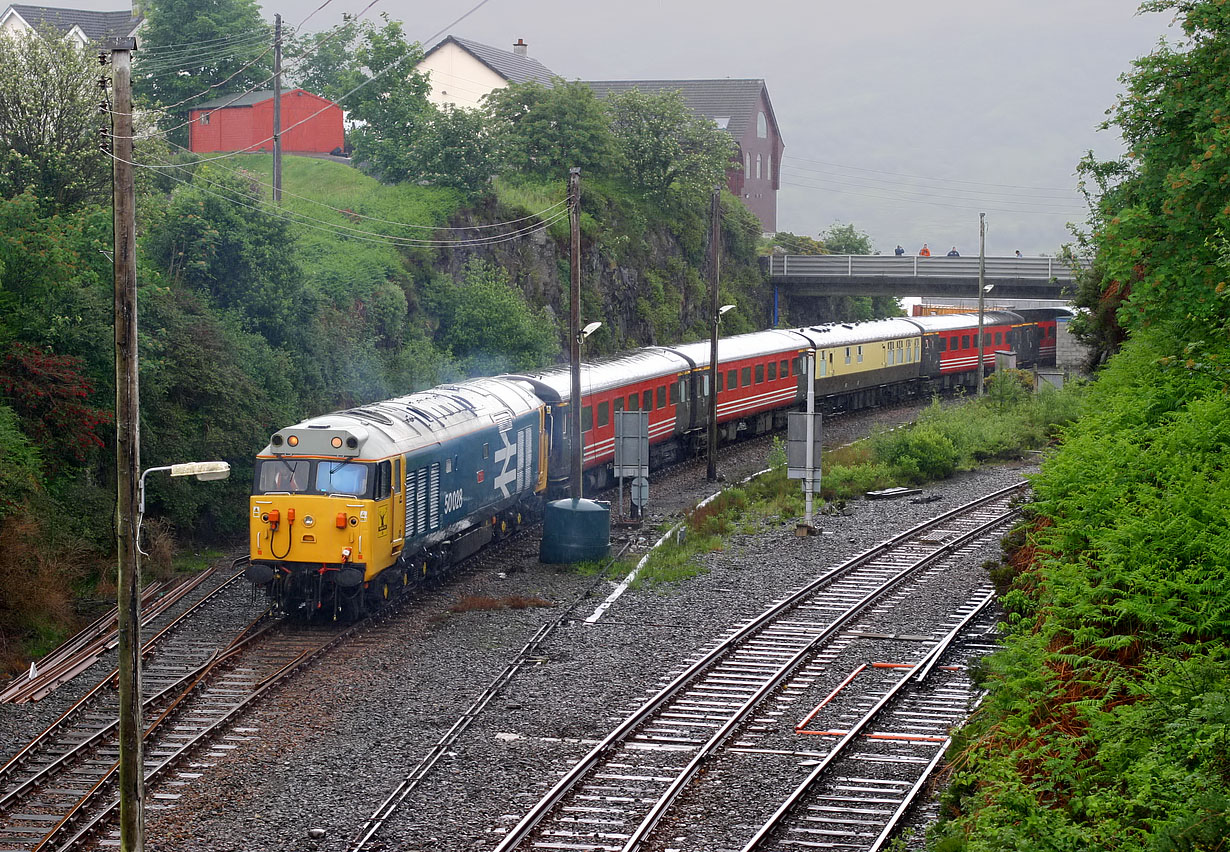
(410, 422)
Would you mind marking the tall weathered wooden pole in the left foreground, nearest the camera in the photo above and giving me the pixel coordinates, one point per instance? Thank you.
(129, 464)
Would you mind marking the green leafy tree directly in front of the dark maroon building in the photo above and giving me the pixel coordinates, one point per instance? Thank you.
(666, 149)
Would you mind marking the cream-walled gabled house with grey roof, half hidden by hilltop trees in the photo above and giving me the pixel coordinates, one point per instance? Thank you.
(462, 72)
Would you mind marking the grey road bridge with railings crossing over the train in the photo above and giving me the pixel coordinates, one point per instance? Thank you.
(907, 276)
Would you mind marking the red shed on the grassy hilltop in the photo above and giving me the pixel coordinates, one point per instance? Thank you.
(245, 124)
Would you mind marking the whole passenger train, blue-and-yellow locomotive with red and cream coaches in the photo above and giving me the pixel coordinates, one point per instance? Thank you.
(350, 506)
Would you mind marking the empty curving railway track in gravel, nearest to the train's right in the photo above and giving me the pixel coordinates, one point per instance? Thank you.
(627, 786)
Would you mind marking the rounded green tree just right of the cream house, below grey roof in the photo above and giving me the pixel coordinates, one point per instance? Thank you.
(548, 131)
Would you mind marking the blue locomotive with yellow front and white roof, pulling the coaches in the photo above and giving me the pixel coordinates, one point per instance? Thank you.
(350, 506)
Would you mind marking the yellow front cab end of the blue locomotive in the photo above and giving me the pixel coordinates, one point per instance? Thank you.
(320, 522)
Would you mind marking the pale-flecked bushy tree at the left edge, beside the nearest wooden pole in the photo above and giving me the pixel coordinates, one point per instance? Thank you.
(50, 121)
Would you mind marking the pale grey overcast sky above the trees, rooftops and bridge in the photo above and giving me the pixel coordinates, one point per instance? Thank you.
(902, 119)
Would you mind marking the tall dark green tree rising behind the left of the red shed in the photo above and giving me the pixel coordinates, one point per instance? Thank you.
(194, 51)
